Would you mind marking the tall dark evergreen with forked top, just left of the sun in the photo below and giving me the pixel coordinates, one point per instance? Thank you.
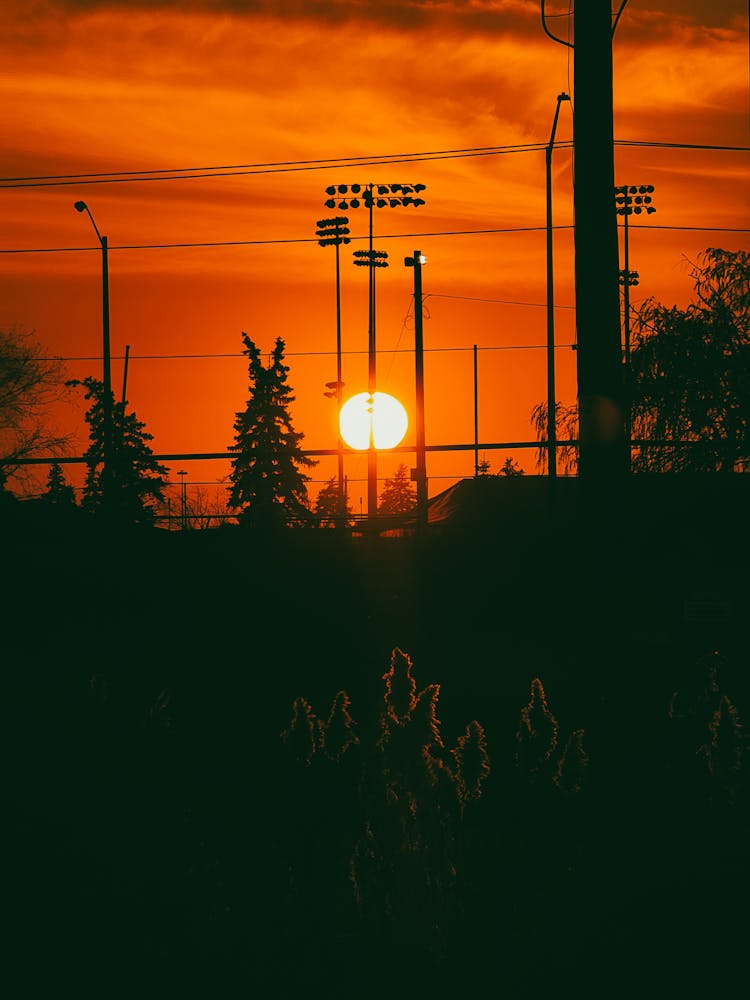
(268, 488)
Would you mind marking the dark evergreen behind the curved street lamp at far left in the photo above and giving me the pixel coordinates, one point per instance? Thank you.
(136, 481)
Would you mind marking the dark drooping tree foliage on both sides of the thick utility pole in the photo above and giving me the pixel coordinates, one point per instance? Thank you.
(688, 378)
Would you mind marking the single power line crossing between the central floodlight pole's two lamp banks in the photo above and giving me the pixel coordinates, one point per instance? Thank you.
(387, 236)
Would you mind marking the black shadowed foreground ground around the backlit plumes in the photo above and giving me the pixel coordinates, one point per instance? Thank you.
(162, 842)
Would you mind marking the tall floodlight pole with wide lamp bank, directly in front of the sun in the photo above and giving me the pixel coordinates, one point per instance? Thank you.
(371, 196)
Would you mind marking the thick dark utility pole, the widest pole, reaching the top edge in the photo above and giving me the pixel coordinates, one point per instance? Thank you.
(601, 404)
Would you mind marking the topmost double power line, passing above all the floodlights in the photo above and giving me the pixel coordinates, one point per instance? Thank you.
(328, 163)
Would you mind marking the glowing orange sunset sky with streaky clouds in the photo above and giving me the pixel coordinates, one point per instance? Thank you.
(94, 87)
